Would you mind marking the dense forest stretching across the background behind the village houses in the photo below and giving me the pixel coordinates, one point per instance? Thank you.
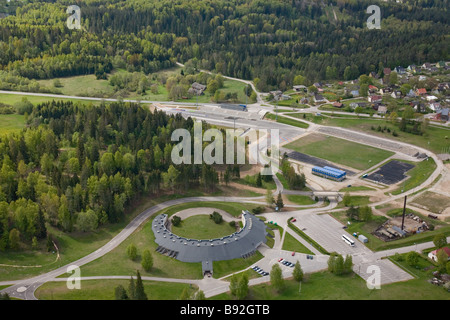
(269, 42)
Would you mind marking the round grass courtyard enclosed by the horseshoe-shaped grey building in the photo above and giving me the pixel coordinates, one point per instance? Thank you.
(202, 227)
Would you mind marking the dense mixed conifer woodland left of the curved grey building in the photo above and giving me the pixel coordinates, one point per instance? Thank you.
(77, 167)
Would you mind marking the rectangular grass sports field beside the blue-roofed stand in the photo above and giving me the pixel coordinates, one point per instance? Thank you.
(339, 151)
